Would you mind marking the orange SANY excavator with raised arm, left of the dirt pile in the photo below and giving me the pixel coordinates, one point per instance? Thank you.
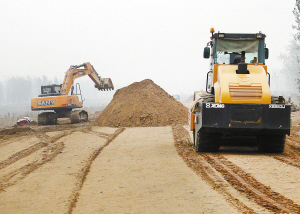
(59, 100)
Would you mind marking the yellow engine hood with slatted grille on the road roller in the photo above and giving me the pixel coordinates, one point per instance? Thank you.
(230, 87)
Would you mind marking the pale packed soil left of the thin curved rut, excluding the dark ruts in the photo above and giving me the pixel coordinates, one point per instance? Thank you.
(54, 183)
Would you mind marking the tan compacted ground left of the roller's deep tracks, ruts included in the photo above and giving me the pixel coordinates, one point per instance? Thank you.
(92, 169)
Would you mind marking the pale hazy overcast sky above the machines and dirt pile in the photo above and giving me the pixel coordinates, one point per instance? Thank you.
(132, 40)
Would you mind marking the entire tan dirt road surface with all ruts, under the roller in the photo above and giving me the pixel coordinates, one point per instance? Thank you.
(75, 168)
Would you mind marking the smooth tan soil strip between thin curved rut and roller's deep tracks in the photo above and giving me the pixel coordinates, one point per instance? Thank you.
(141, 172)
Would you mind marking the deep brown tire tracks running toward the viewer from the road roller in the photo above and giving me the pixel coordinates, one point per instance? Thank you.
(235, 176)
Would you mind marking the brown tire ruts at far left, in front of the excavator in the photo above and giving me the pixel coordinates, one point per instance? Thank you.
(52, 149)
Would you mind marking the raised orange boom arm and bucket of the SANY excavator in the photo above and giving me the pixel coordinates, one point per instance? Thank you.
(75, 71)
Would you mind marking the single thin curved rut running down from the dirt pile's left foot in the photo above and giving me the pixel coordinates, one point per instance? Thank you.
(86, 169)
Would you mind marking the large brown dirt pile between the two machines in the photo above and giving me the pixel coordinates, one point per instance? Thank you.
(142, 104)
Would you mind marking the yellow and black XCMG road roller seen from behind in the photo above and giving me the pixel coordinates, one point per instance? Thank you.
(237, 103)
